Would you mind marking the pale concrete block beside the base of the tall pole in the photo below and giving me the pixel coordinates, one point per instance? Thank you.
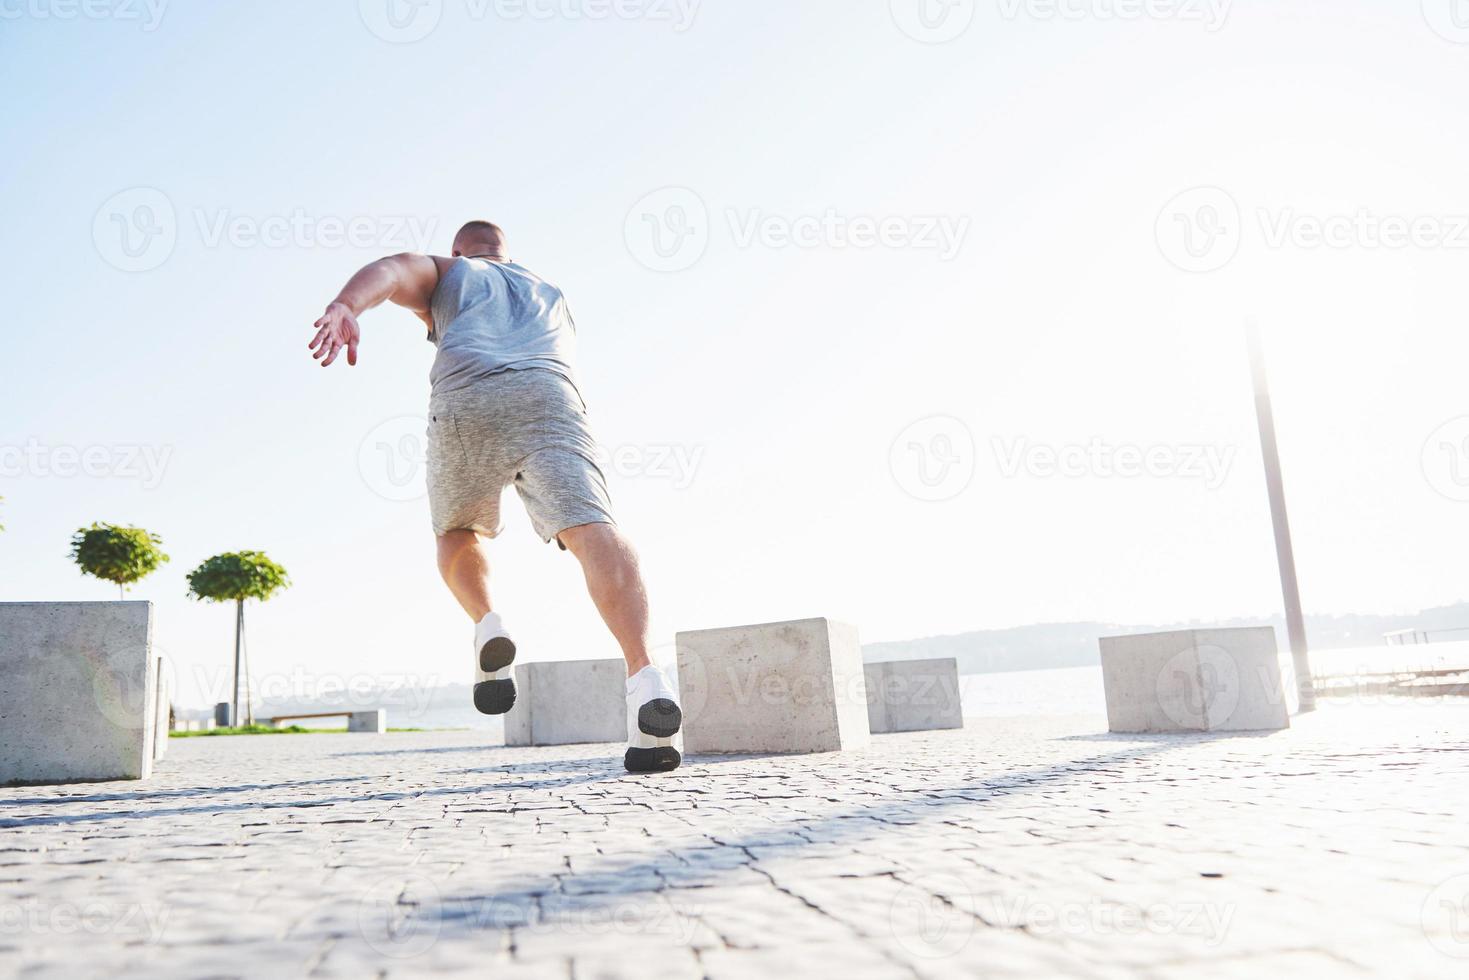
(1195, 681)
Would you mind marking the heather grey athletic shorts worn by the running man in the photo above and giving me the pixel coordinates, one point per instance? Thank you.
(525, 428)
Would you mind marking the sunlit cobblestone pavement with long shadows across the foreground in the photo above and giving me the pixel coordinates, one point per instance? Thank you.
(1013, 849)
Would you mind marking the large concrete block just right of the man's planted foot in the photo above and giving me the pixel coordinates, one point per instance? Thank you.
(793, 687)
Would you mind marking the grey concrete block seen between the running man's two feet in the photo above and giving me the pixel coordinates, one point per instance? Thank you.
(569, 703)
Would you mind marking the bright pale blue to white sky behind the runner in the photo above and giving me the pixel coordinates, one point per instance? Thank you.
(867, 230)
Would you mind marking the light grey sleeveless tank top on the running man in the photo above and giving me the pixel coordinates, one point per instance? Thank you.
(493, 317)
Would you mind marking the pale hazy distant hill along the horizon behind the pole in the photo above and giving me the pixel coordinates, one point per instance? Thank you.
(1076, 644)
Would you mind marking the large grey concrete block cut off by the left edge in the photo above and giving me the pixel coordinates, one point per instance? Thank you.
(79, 694)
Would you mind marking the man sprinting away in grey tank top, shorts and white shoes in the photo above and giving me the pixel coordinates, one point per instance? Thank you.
(506, 411)
